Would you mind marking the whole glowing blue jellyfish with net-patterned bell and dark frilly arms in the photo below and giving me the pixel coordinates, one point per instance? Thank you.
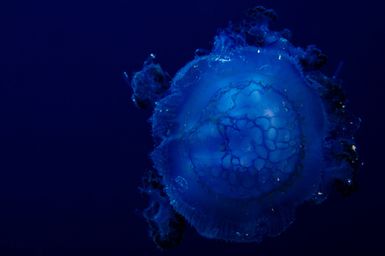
(243, 135)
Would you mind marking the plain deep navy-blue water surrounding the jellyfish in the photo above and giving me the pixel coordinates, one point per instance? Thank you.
(73, 147)
